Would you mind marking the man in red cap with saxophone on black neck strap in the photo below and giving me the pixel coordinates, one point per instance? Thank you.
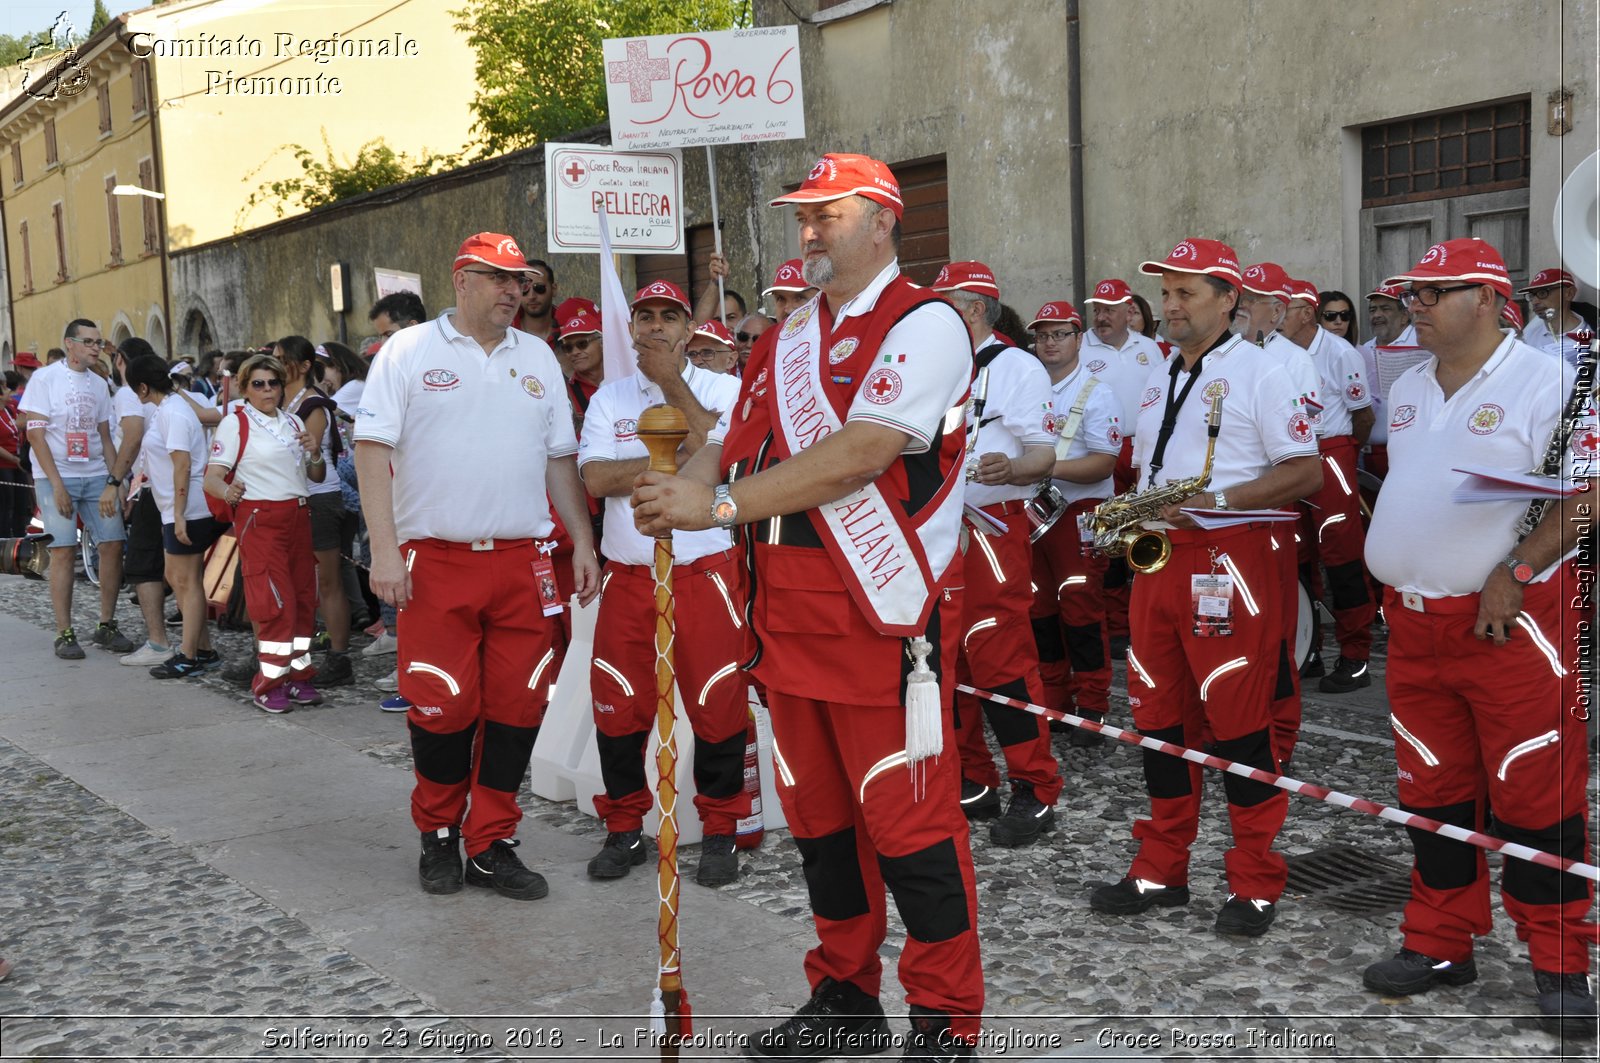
(1207, 625)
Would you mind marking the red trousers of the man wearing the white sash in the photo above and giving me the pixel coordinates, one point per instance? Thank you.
(830, 752)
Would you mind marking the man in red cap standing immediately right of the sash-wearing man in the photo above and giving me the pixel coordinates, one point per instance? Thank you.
(1014, 436)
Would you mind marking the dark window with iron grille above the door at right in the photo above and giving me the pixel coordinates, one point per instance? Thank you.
(1460, 153)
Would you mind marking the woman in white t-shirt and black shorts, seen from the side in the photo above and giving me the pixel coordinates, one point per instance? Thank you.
(174, 454)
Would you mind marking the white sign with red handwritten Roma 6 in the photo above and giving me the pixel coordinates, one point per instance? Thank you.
(727, 87)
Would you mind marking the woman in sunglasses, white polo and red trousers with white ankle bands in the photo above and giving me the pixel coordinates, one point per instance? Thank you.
(273, 470)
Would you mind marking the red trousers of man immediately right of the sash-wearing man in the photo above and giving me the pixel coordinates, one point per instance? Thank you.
(998, 649)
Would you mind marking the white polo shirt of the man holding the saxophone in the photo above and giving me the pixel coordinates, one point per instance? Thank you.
(1263, 420)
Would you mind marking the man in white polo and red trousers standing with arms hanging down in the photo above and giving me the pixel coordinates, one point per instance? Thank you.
(457, 555)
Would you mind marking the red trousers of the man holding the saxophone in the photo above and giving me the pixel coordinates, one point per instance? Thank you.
(1236, 675)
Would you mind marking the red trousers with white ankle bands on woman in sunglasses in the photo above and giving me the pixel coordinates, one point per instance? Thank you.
(281, 587)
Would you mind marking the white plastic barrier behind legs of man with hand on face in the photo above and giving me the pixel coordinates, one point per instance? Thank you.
(566, 761)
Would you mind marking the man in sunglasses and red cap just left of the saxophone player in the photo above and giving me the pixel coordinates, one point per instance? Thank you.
(1070, 595)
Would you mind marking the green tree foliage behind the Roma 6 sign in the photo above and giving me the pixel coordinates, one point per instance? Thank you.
(540, 66)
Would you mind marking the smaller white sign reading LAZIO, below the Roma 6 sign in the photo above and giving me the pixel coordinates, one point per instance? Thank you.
(642, 195)
